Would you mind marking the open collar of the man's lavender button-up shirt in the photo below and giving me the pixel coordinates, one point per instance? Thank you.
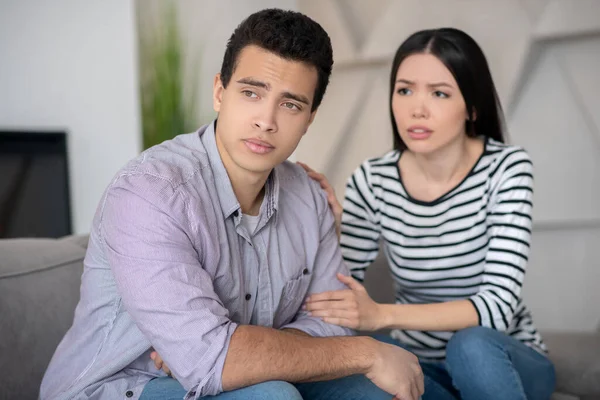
(228, 202)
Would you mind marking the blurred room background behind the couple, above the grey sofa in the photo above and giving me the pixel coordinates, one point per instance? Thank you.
(85, 86)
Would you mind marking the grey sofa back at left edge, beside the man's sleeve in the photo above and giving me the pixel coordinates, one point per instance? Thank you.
(39, 289)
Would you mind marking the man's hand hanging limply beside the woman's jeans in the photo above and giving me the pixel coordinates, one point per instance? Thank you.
(397, 371)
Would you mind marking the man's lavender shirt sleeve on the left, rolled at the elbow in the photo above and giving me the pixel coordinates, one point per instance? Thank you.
(163, 286)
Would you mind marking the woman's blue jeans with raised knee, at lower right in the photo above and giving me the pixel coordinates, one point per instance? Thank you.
(482, 363)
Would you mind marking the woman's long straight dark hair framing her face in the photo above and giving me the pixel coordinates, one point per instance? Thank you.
(465, 60)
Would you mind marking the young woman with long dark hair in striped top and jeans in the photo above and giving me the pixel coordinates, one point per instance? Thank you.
(452, 205)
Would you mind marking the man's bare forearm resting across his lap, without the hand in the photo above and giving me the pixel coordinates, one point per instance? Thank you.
(258, 354)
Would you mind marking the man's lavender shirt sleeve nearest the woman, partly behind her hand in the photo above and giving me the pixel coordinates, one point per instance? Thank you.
(328, 262)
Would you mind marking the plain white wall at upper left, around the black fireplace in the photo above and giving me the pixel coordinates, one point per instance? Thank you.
(68, 64)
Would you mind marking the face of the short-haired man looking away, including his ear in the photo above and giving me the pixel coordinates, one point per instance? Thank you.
(264, 111)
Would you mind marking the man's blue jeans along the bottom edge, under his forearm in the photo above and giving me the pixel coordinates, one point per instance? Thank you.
(355, 387)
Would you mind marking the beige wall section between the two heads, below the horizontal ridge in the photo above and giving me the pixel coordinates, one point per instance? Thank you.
(358, 100)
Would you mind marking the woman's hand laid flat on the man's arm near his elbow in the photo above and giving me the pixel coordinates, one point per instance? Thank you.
(351, 308)
